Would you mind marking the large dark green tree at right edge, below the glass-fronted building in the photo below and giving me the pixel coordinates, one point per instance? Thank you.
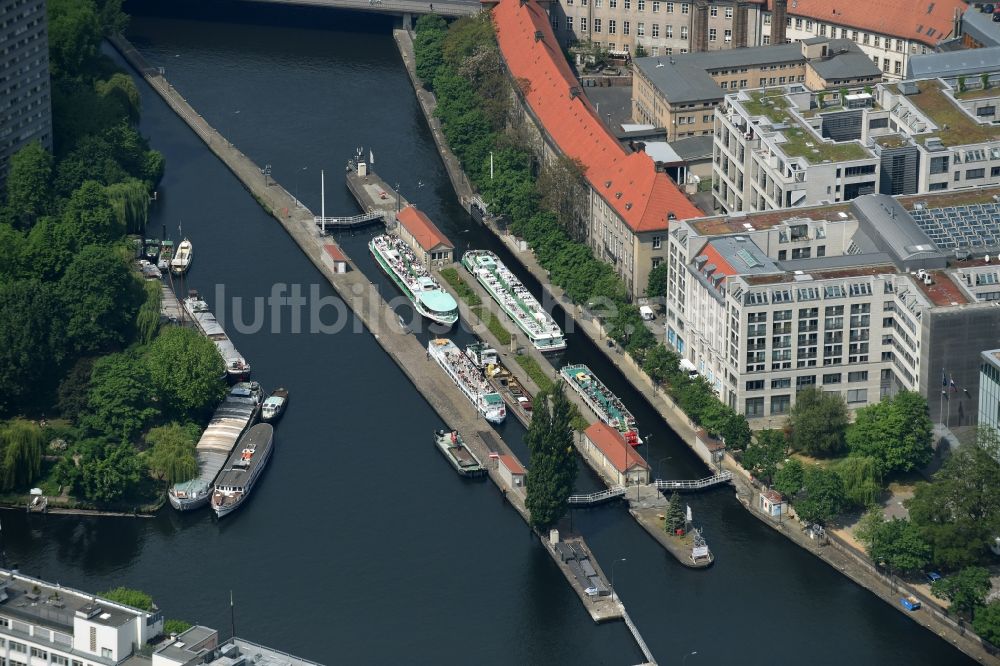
(959, 513)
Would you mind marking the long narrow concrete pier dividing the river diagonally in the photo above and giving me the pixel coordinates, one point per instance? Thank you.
(367, 304)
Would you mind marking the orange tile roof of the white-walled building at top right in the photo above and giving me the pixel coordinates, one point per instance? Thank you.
(926, 21)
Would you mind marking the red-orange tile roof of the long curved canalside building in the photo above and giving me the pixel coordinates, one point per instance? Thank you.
(628, 182)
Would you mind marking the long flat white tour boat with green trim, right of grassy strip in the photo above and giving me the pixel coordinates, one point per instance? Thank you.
(515, 299)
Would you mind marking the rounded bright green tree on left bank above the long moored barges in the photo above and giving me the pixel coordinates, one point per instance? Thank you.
(186, 370)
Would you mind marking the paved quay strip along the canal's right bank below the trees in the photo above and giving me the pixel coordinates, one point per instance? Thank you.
(662, 403)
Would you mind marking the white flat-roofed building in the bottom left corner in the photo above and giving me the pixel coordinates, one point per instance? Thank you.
(42, 624)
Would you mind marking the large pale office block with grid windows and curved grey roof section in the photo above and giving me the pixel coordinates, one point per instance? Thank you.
(863, 298)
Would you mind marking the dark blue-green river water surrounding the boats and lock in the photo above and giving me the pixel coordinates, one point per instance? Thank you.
(360, 545)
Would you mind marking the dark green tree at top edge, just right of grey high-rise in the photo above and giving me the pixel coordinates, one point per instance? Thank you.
(74, 36)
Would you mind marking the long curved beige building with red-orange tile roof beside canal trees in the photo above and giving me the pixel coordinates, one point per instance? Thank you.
(630, 203)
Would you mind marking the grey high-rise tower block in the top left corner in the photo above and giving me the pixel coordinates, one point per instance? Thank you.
(25, 98)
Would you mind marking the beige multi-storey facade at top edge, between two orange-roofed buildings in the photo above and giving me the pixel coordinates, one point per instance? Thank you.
(660, 27)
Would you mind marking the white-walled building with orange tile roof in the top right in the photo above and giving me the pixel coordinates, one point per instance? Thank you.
(888, 31)
